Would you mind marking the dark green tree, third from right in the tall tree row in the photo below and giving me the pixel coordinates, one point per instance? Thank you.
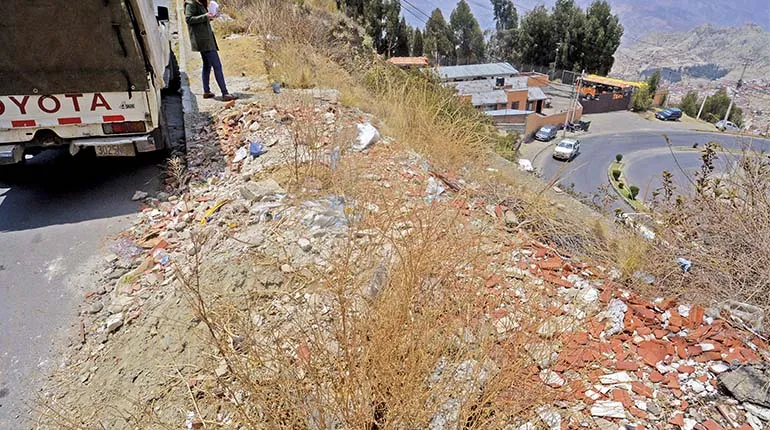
(535, 44)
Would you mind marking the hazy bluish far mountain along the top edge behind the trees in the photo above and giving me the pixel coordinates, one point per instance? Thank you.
(639, 17)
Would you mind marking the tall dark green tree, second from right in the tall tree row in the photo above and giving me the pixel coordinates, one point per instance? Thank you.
(568, 23)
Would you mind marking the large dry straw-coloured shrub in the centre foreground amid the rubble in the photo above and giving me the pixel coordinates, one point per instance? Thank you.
(392, 335)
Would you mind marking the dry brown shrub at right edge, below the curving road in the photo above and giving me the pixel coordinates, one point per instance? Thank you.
(723, 227)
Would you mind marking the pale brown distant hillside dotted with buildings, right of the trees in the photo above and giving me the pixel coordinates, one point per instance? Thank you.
(705, 52)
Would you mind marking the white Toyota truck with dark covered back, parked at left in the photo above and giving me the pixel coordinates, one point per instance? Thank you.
(84, 74)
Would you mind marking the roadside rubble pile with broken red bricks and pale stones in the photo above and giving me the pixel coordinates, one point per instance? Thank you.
(610, 358)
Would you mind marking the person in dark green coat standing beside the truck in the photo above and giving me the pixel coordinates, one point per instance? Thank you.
(202, 40)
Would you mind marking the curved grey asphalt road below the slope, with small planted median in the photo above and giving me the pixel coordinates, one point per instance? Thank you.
(645, 155)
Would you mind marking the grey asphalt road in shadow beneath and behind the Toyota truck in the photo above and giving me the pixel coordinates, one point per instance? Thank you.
(57, 216)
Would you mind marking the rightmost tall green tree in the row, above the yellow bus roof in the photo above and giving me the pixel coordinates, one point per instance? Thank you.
(601, 38)
